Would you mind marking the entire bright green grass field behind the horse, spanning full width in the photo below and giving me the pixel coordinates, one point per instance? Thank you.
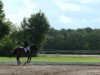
(57, 59)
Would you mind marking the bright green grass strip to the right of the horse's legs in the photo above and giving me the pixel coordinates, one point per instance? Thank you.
(66, 59)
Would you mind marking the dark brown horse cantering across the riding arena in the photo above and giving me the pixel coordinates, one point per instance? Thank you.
(20, 52)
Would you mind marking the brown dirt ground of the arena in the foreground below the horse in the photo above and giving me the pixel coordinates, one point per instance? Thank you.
(12, 69)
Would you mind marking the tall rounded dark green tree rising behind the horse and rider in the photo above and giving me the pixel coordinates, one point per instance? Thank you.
(36, 27)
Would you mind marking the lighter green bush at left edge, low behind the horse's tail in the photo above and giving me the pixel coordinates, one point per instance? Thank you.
(6, 46)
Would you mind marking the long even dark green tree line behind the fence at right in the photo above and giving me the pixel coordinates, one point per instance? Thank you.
(71, 39)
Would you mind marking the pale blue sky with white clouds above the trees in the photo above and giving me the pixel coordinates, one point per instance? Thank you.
(66, 14)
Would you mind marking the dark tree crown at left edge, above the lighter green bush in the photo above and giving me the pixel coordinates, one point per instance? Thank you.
(4, 24)
